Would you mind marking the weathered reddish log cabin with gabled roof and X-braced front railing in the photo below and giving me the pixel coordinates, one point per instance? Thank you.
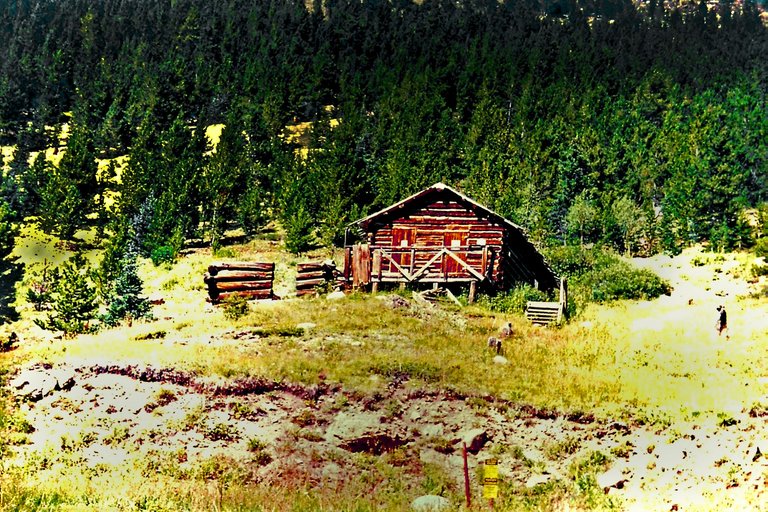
(440, 235)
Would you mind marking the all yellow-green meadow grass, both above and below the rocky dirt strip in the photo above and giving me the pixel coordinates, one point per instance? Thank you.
(654, 363)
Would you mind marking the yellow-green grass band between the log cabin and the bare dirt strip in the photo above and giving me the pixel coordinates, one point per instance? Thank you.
(659, 357)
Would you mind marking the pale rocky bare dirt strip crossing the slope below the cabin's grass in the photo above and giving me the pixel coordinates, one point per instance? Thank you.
(107, 415)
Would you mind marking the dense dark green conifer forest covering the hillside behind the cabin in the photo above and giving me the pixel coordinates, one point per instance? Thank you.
(644, 128)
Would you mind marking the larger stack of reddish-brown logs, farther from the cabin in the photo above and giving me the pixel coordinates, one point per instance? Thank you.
(247, 279)
